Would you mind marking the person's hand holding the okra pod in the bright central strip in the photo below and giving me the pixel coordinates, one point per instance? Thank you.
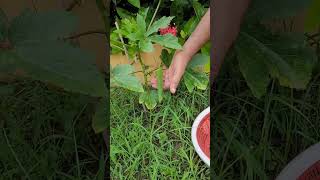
(173, 75)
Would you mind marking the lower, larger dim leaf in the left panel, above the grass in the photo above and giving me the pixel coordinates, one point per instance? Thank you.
(63, 65)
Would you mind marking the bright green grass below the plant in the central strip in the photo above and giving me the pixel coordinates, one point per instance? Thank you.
(155, 144)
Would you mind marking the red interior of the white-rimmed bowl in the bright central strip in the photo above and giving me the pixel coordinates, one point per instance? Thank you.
(203, 135)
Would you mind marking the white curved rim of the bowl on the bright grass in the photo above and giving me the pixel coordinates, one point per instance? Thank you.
(195, 125)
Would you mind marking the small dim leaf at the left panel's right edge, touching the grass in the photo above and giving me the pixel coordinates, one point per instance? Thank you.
(99, 121)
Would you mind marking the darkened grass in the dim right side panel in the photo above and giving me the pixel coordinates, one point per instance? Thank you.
(256, 138)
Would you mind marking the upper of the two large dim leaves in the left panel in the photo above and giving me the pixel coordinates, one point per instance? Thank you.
(31, 26)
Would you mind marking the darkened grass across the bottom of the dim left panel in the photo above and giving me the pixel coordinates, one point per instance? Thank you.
(46, 134)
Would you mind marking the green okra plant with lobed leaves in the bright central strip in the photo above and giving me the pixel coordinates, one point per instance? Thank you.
(134, 35)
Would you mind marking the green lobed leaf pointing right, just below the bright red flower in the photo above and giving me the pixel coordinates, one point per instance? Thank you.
(167, 40)
